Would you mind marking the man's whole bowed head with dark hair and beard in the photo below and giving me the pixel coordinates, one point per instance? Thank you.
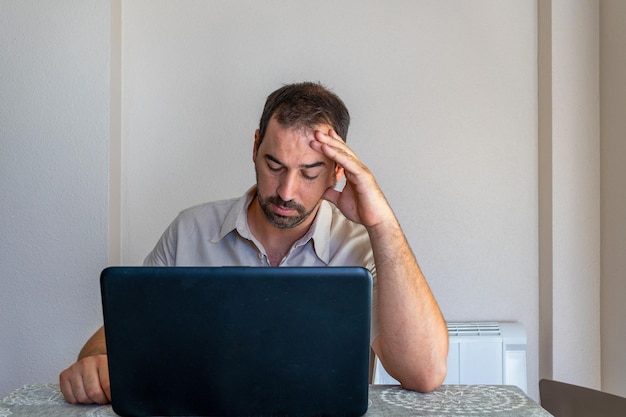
(292, 177)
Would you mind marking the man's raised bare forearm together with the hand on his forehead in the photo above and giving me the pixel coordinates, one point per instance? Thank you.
(413, 339)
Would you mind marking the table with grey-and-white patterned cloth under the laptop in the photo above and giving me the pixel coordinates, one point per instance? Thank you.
(384, 400)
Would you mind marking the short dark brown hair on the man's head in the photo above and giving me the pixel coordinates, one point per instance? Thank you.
(305, 106)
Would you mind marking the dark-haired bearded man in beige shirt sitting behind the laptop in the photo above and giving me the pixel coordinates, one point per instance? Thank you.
(296, 216)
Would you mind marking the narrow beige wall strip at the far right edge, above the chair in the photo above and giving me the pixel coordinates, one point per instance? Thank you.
(613, 154)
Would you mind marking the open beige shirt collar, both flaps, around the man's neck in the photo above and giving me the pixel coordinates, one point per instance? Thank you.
(319, 232)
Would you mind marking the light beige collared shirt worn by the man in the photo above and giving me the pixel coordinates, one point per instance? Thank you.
(217, 234)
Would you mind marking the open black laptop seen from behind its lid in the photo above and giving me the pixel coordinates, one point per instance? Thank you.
(238, 341)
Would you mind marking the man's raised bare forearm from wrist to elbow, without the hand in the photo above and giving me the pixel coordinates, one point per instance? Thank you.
(413, 342)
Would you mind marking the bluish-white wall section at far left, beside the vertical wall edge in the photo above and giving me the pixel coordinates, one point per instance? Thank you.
(54, 102)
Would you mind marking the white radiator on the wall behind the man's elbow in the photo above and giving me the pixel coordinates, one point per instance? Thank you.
(490, 353)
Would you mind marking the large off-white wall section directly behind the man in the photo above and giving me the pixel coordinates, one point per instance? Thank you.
(444, 104)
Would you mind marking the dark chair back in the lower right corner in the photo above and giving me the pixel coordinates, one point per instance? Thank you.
(567, 400)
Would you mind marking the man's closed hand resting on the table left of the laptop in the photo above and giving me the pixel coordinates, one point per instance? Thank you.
(87, 381)
